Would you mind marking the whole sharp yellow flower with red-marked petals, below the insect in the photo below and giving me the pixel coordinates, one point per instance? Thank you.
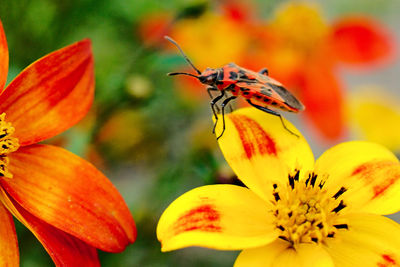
(294, 211)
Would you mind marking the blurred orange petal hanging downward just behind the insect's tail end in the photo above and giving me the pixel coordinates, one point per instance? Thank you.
(321, 94)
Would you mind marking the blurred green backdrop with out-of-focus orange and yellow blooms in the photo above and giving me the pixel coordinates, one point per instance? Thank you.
(151, 134)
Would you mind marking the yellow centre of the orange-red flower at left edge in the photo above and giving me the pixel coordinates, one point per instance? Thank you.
(8, 144)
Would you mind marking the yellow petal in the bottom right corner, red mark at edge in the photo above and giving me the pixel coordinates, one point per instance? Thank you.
(371, 240)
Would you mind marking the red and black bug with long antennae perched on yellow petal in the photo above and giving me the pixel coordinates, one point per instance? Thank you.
(259, 90)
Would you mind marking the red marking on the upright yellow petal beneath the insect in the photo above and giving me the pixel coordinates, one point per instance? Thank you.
(254, 138)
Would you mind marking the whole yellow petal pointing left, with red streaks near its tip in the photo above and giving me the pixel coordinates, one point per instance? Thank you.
(218, 217)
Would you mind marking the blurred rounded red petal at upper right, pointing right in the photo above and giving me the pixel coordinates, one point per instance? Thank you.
(358, 40)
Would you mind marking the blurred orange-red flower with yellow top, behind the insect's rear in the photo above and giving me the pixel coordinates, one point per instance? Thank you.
(302, 51)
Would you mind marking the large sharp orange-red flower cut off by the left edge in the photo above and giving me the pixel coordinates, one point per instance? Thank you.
(70, 206)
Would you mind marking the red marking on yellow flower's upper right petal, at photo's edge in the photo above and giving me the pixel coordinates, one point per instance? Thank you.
(368, 172)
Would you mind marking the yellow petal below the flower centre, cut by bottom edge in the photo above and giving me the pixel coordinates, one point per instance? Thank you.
(280, 253)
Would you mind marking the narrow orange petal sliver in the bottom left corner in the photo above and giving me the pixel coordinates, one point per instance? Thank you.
(8, 239)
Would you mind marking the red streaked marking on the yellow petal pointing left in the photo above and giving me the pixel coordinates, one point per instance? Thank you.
(204, 218)
